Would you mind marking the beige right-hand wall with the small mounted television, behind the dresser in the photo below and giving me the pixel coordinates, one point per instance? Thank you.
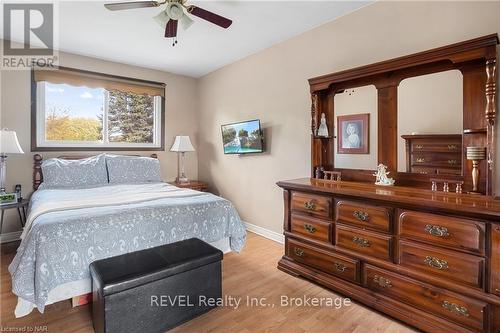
(272, 85)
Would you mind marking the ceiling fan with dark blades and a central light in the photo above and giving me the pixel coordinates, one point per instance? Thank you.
(175, 11)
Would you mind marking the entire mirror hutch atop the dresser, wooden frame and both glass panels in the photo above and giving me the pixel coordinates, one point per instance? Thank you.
(437, 103)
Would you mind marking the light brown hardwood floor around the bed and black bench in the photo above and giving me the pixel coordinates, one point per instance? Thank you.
(252, 273)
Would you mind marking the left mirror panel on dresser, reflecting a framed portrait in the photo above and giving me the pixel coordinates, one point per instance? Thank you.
(352, 102)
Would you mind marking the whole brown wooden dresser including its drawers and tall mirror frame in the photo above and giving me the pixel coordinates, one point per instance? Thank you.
(428, 258)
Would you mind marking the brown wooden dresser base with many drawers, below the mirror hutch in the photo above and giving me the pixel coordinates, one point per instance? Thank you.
(430, 259)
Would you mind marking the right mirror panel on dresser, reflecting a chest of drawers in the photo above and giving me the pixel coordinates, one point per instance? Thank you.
(430, 123)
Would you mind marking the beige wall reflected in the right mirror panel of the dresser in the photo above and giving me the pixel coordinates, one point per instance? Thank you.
(429, 104)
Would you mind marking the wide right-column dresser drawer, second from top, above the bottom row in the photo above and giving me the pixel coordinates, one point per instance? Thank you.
(448, 265)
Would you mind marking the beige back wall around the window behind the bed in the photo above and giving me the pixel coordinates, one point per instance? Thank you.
(181, 109)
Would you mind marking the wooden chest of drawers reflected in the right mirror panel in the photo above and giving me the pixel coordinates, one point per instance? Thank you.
(434, 154)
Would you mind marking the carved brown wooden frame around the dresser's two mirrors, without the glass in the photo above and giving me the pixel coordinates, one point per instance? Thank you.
(476, 59)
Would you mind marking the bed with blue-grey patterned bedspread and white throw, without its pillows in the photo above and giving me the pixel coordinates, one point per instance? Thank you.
(68, 228)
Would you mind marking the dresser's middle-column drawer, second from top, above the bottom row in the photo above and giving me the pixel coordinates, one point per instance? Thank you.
(363, 242)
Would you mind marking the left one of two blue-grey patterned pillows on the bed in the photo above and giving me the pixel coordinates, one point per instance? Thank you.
(85, 172)
